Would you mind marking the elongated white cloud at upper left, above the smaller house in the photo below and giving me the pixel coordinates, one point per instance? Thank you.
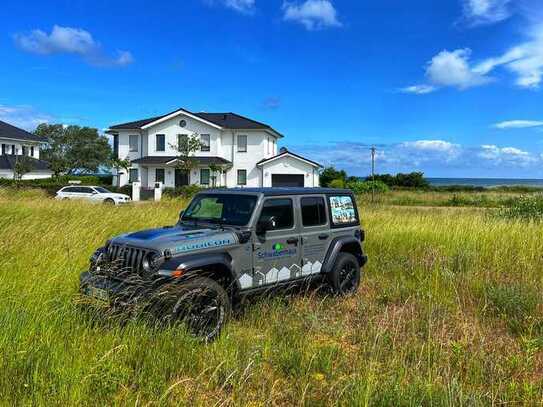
(69, 40)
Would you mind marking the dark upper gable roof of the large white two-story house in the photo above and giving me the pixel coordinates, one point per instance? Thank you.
(229, 120)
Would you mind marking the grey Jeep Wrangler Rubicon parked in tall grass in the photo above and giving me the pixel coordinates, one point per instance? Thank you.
(227, 244)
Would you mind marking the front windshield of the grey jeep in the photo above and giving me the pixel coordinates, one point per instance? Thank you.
(223, 209)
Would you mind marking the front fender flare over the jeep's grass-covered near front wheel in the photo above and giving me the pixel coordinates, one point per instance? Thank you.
(195, 262)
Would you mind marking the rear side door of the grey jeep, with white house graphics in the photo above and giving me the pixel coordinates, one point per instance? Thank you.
(315, 233)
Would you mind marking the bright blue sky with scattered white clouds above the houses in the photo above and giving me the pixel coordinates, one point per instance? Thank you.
(451, 88)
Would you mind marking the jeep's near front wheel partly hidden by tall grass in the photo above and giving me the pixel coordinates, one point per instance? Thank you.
(201, 303)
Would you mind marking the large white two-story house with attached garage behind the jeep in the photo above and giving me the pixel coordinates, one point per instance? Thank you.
(244, 151)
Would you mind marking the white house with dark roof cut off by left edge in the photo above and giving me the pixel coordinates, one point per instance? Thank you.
(15, 143)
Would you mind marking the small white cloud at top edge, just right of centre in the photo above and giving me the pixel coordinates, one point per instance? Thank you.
(312, 14)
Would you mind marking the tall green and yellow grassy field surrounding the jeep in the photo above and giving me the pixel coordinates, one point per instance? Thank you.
(450, 312)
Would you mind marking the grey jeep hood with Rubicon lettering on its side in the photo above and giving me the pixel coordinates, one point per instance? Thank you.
(178, 239)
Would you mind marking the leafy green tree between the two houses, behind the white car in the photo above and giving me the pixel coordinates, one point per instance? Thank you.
(72, 149)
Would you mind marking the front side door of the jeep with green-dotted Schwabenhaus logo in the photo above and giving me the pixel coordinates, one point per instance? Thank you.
(277, 254)
